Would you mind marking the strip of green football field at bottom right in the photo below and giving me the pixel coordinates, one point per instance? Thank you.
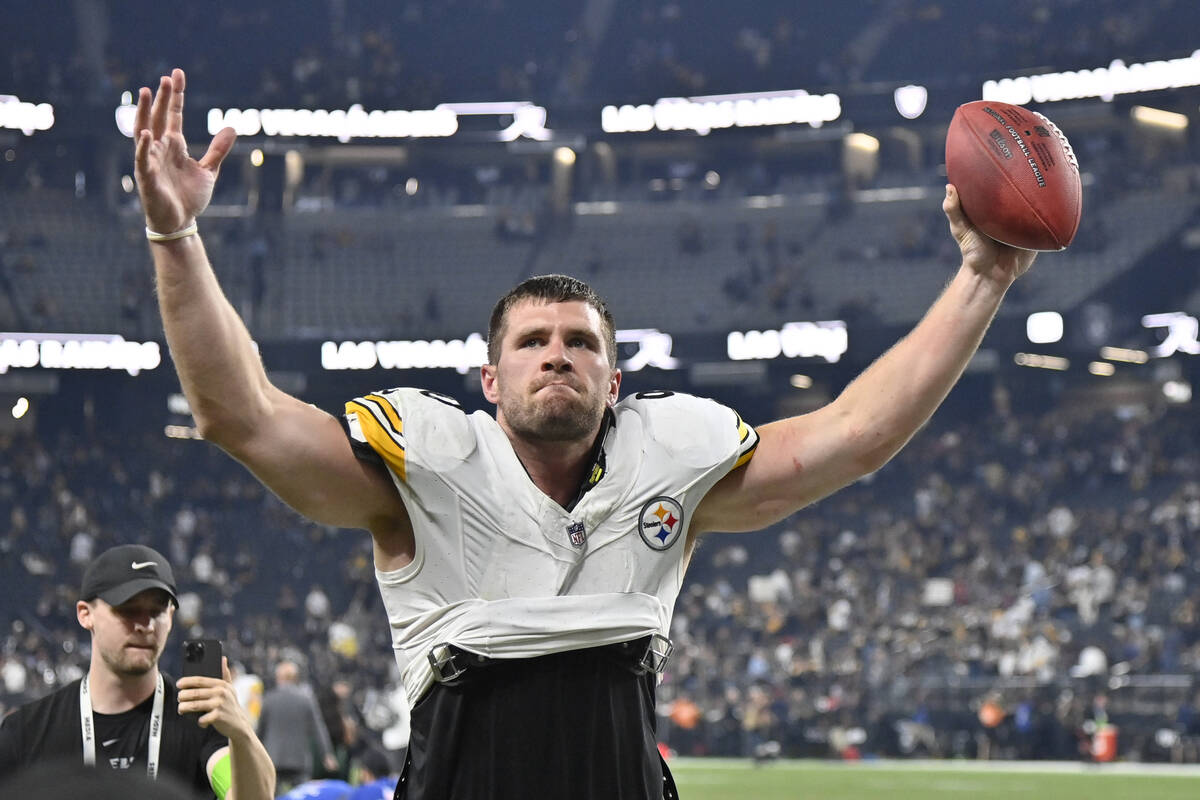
(740, 780)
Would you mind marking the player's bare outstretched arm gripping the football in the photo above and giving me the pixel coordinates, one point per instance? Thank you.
(805, 459)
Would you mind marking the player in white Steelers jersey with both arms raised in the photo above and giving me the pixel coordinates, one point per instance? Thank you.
(530, 561)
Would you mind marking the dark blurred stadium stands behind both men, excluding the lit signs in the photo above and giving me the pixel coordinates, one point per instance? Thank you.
(1037, 545)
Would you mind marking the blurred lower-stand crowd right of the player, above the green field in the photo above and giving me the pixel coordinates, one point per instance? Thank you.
(992, 568)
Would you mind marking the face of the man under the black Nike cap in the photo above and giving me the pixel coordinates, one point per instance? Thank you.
(130, 637)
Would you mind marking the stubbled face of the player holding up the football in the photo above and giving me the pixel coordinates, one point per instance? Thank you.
(554, 381)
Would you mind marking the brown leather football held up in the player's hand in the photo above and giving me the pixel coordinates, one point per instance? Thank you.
(1017, 176)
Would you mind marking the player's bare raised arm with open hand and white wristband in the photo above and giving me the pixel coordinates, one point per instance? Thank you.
(296, 449)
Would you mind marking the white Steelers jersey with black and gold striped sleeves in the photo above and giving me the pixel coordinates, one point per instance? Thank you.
(503, 570)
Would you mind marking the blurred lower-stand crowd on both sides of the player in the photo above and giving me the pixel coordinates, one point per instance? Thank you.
(1011, 568)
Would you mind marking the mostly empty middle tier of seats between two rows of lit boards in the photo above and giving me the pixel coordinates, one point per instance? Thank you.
(723, 263)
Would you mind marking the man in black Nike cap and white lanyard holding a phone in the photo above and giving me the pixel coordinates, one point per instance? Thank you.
(124, 714)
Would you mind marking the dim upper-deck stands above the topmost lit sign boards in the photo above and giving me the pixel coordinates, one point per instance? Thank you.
(421, 53)
